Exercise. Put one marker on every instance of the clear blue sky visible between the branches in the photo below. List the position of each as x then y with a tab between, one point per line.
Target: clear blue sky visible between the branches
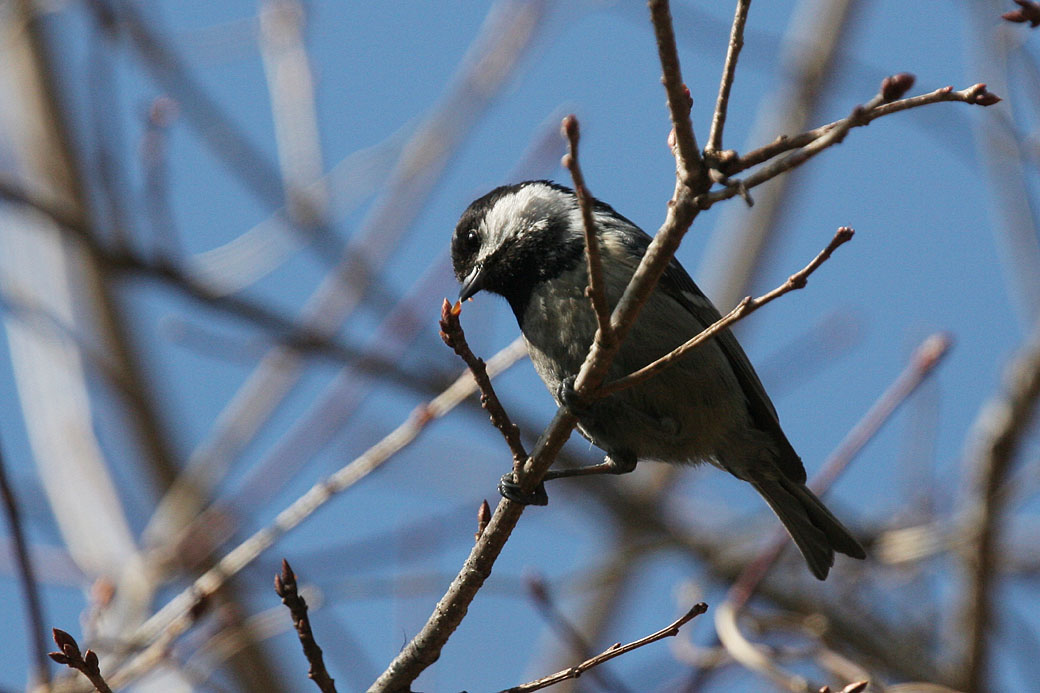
927	258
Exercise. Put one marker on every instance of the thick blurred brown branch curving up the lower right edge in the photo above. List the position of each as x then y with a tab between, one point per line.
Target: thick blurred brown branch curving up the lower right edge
997	438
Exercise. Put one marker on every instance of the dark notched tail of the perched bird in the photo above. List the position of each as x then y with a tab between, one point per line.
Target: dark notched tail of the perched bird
816	531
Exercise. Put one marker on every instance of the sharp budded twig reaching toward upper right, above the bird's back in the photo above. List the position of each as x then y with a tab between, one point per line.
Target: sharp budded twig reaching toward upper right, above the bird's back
863	116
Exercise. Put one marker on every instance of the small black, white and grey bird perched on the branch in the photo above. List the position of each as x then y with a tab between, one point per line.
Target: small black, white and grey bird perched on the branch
526	243
